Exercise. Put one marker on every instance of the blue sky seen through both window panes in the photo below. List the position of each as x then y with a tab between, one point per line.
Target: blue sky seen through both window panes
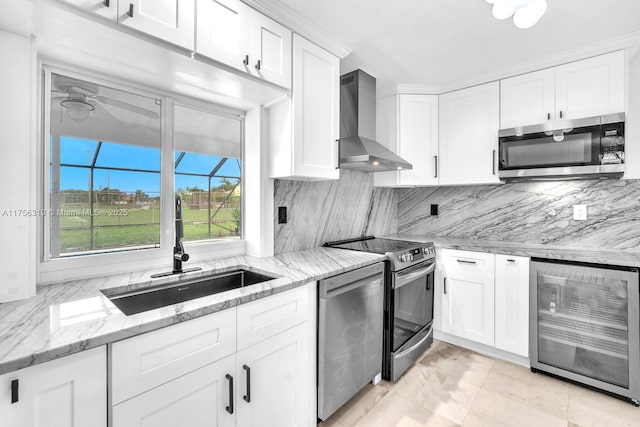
74	151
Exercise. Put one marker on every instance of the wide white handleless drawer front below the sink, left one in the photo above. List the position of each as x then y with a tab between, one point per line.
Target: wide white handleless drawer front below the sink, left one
141	363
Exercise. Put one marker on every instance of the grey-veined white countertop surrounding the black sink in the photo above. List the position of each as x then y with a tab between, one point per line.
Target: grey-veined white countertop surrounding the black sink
69	317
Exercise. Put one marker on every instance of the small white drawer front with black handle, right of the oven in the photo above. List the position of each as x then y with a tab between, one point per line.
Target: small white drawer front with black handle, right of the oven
467	265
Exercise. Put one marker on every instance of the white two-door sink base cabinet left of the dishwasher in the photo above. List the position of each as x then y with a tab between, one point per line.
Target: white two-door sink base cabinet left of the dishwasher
250	365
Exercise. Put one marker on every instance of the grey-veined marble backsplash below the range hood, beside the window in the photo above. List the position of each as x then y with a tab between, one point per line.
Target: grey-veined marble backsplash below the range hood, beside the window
320	211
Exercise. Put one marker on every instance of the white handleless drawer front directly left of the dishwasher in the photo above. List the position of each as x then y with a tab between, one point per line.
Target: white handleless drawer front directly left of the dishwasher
266	317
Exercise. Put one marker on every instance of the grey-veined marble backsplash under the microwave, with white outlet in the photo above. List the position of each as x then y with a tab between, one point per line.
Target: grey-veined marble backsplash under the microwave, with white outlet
540	212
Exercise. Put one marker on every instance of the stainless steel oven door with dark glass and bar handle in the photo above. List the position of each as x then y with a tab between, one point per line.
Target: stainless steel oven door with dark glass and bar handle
412	315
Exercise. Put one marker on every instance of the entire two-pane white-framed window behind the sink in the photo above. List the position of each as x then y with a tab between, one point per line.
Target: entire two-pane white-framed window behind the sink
112	171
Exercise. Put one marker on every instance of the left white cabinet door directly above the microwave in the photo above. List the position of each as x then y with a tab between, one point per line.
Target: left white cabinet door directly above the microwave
527	99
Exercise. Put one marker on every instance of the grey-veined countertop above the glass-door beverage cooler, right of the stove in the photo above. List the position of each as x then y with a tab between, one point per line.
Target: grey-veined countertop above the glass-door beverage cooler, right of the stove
564	253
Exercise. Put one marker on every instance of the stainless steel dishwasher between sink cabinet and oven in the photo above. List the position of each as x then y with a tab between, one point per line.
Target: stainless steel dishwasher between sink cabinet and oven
350	326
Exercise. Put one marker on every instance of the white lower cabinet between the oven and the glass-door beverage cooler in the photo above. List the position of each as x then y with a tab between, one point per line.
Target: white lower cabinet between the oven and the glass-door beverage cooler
485	299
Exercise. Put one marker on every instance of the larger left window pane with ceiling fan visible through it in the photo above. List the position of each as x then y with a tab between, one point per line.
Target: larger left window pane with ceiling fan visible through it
104	169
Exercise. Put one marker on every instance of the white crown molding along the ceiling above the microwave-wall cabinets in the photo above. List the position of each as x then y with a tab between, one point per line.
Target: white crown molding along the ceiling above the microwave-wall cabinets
629	41
